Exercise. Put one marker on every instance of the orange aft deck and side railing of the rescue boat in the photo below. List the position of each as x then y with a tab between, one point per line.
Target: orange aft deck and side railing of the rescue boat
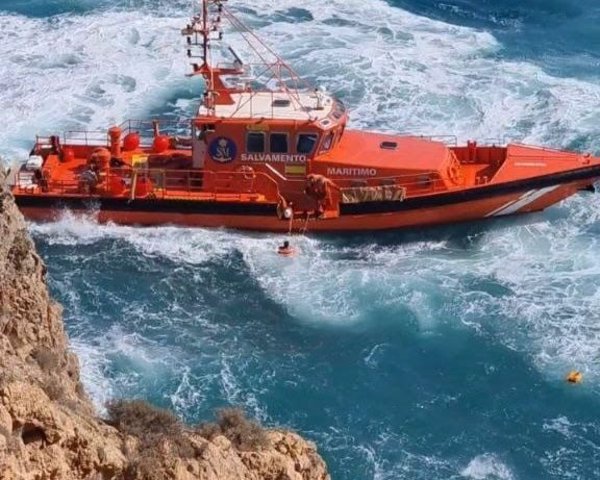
162	176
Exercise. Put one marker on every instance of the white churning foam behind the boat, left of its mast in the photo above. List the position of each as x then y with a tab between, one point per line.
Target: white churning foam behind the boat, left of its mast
84	72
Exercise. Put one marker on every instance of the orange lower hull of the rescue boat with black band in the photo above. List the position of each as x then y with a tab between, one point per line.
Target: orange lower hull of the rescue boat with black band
465	205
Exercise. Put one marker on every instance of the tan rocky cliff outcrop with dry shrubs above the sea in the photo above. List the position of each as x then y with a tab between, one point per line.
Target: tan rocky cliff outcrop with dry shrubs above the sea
48	427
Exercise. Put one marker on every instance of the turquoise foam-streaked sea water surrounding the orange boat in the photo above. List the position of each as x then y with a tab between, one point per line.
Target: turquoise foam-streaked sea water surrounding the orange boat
425	355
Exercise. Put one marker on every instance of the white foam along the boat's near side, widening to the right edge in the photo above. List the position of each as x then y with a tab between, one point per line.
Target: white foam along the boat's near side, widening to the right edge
548	271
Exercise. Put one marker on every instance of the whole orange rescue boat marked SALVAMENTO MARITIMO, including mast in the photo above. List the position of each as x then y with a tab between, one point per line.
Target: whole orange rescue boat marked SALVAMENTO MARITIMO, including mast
265	151
